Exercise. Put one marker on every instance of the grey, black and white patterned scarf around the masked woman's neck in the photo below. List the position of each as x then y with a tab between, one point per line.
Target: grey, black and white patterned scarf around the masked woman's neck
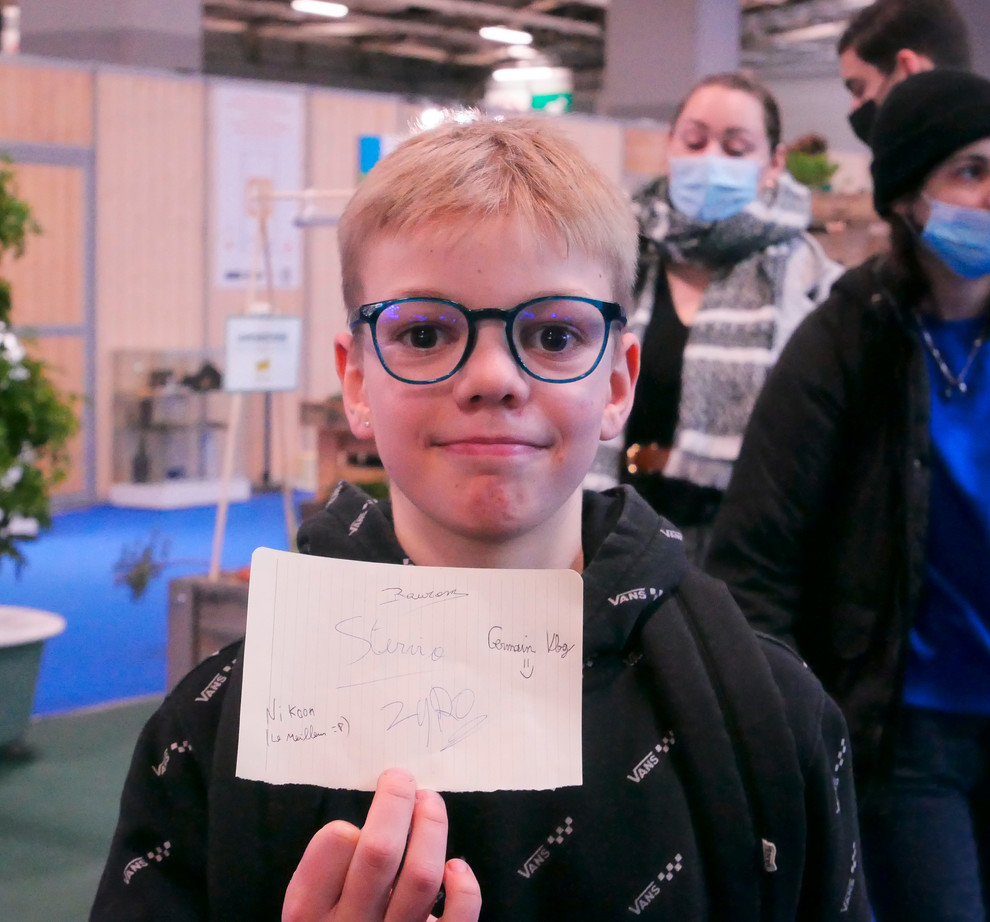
730	344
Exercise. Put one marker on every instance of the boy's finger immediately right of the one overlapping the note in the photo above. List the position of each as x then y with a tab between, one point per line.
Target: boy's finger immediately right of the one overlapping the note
422	869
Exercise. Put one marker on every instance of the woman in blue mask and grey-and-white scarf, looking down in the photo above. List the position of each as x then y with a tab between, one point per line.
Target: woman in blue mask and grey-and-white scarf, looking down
726	273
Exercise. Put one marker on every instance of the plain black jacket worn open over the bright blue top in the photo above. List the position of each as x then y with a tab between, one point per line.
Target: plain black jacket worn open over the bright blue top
821	534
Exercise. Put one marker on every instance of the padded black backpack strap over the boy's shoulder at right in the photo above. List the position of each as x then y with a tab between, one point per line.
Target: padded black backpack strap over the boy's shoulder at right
742	772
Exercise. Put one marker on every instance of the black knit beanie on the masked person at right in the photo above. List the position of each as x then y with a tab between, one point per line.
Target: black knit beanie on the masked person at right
922	122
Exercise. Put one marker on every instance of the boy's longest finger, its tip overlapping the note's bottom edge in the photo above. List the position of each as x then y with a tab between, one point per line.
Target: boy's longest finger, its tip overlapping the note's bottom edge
379	850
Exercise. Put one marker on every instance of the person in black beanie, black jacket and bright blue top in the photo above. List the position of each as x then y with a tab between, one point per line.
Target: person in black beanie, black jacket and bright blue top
857	523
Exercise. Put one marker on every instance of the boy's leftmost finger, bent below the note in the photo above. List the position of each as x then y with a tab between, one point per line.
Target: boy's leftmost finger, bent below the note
319	877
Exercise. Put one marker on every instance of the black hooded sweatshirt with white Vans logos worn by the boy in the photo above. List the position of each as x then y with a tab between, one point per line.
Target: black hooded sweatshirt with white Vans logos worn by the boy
659	828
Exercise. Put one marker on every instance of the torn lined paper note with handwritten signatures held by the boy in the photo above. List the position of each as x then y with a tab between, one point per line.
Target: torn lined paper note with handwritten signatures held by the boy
468	678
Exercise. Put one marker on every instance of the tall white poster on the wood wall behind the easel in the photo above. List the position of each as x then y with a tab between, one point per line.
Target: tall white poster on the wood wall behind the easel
258	144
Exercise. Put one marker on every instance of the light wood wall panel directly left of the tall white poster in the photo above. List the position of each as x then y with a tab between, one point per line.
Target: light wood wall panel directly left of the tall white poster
150	235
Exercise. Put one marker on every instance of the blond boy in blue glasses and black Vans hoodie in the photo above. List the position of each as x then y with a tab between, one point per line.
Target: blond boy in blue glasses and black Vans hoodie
484	269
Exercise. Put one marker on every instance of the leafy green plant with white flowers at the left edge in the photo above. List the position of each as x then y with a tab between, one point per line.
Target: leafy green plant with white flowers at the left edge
36	421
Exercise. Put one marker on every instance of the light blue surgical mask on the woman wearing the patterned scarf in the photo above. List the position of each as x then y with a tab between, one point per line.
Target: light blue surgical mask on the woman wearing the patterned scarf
712	188
